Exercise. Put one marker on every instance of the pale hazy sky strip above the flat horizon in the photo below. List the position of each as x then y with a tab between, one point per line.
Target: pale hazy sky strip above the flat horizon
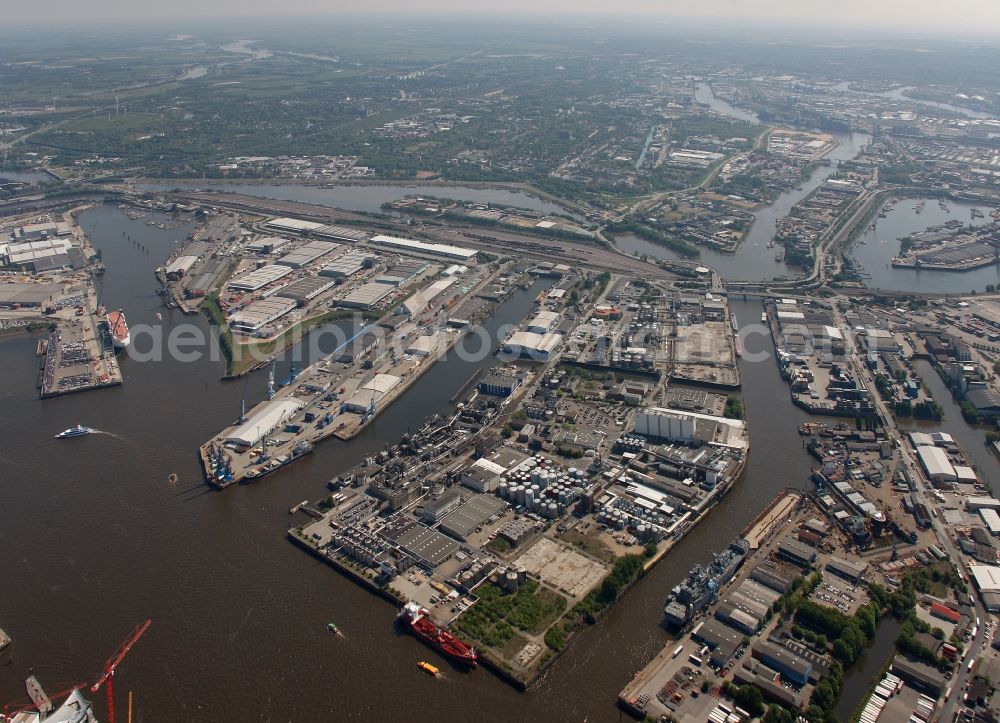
981	17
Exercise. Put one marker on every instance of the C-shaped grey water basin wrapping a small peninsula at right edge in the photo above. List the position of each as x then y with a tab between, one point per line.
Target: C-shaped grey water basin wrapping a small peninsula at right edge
876	247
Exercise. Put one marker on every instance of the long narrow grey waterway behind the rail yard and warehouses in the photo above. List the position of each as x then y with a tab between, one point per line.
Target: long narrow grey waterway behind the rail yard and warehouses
362	197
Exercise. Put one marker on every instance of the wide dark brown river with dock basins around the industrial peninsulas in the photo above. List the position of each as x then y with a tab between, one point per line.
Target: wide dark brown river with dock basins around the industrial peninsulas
95	539
